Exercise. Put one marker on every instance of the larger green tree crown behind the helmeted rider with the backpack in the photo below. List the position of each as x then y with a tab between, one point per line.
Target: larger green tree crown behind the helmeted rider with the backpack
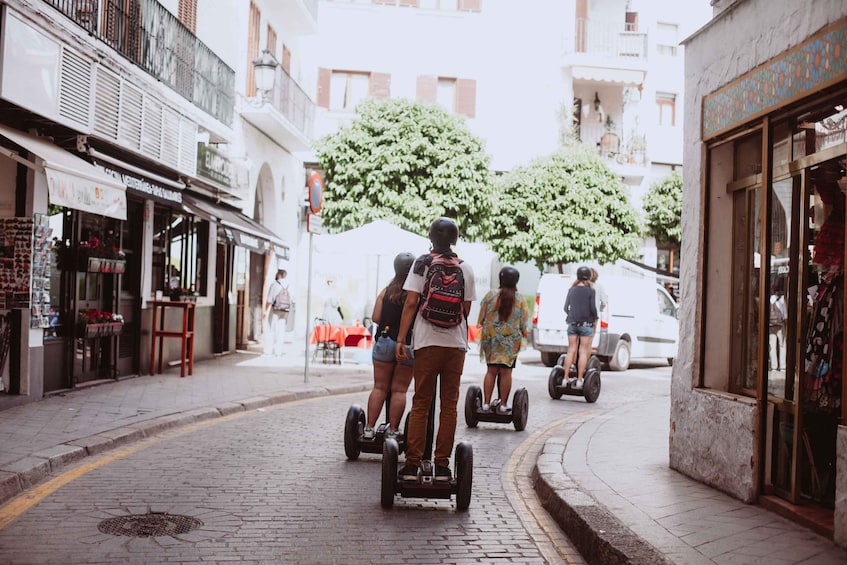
407	163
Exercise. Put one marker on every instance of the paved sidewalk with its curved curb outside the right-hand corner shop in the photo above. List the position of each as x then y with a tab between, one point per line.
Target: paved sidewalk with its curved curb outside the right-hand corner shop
607	482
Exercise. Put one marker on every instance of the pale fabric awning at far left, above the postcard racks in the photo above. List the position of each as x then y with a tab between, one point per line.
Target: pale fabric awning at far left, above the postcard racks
71	181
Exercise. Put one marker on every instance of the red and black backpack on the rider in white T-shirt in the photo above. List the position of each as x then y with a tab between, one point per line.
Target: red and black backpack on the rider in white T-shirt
444	291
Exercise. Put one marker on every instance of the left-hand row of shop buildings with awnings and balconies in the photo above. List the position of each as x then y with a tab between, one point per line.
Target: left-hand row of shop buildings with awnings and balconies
143	162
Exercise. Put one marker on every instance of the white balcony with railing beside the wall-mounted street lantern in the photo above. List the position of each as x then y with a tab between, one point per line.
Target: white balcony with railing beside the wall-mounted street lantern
286	115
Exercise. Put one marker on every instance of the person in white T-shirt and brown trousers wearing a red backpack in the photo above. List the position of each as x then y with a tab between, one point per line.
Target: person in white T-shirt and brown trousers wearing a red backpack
440	291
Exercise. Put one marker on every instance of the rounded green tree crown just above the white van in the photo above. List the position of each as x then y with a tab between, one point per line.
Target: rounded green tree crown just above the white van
564	208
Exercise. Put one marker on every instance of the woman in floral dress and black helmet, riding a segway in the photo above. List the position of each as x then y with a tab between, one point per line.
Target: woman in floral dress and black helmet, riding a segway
503	316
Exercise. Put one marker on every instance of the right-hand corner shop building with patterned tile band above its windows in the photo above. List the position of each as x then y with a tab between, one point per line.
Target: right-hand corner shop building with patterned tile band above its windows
757	402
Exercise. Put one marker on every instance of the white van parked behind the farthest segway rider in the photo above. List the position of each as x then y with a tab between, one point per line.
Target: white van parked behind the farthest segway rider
638	319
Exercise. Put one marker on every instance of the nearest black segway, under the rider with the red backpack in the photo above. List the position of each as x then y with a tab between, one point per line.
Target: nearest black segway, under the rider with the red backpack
426	486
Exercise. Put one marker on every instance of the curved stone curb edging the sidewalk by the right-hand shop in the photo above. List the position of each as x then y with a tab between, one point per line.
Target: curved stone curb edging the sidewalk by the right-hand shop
598	535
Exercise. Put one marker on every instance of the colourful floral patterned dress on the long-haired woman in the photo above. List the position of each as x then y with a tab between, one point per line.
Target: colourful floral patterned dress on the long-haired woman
500	342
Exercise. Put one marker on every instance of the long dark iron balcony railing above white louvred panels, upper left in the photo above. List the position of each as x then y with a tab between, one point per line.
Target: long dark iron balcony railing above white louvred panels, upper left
147	34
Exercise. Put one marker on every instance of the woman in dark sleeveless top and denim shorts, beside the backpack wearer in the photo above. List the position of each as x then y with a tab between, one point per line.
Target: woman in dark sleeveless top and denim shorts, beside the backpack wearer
390	374
